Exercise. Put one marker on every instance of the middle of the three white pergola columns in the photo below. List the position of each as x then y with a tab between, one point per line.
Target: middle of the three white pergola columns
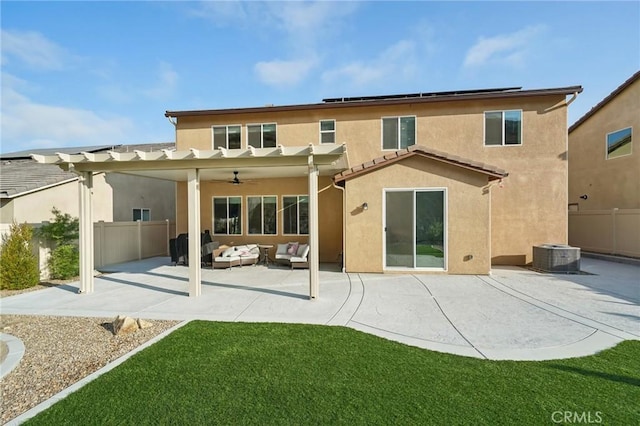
195	275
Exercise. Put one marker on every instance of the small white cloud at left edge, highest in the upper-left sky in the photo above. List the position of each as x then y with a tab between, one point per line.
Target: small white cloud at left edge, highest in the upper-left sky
33	49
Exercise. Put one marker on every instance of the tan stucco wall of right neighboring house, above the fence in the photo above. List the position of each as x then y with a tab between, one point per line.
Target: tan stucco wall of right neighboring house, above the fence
613	183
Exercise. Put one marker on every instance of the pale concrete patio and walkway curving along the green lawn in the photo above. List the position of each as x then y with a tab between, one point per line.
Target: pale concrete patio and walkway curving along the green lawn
512	314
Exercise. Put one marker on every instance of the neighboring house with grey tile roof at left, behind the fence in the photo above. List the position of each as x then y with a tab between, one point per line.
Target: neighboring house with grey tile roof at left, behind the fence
29	190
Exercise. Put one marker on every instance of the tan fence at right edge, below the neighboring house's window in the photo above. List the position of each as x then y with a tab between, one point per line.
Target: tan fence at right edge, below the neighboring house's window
615	231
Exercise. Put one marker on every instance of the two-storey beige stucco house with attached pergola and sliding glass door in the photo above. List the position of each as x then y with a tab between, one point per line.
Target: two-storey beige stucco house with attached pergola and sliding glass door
448	182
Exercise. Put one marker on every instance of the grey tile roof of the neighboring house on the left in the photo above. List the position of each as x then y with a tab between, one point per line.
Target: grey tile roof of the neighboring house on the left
20	174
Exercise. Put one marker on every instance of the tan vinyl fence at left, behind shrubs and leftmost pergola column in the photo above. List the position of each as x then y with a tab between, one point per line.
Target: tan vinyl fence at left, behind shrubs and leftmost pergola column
115	242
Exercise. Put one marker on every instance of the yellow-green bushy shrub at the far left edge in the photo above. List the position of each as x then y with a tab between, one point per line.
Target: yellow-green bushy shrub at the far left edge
18	264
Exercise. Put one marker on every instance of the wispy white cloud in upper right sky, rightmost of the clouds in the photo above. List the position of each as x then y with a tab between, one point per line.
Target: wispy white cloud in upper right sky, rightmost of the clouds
505	48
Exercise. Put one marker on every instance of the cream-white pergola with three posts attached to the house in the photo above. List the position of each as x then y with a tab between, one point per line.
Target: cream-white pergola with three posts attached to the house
193	166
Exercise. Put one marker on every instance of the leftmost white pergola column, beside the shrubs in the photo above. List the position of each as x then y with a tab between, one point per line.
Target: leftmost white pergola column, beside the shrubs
86	232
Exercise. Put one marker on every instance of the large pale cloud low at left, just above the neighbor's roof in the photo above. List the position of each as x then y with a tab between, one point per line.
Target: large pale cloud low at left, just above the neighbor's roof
27	124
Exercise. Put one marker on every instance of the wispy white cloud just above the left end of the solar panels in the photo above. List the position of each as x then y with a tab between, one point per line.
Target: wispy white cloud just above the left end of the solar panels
398	61
